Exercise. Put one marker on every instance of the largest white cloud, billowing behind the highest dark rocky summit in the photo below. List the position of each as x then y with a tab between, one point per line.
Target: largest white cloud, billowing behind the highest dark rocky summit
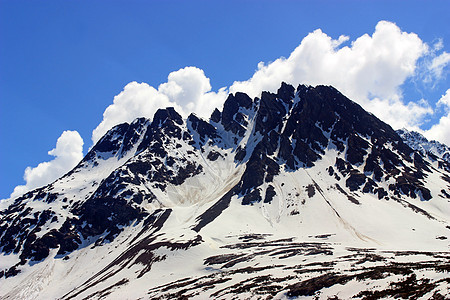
370	71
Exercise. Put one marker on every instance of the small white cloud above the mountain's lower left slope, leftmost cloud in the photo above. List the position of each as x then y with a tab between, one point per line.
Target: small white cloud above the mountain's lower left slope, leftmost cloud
68	152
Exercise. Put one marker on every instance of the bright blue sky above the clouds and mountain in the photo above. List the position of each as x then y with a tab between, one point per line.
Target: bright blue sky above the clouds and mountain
63	62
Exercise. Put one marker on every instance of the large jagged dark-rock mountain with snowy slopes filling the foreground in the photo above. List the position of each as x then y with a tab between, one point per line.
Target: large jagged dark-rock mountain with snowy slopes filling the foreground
296	193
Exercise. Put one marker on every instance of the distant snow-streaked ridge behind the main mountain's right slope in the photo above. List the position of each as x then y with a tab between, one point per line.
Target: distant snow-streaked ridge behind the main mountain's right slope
418	142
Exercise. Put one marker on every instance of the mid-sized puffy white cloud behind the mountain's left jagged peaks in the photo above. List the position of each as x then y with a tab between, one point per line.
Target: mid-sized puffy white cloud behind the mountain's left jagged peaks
188	90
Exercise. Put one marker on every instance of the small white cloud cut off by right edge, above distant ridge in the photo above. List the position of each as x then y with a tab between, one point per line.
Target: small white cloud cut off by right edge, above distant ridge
441	130
